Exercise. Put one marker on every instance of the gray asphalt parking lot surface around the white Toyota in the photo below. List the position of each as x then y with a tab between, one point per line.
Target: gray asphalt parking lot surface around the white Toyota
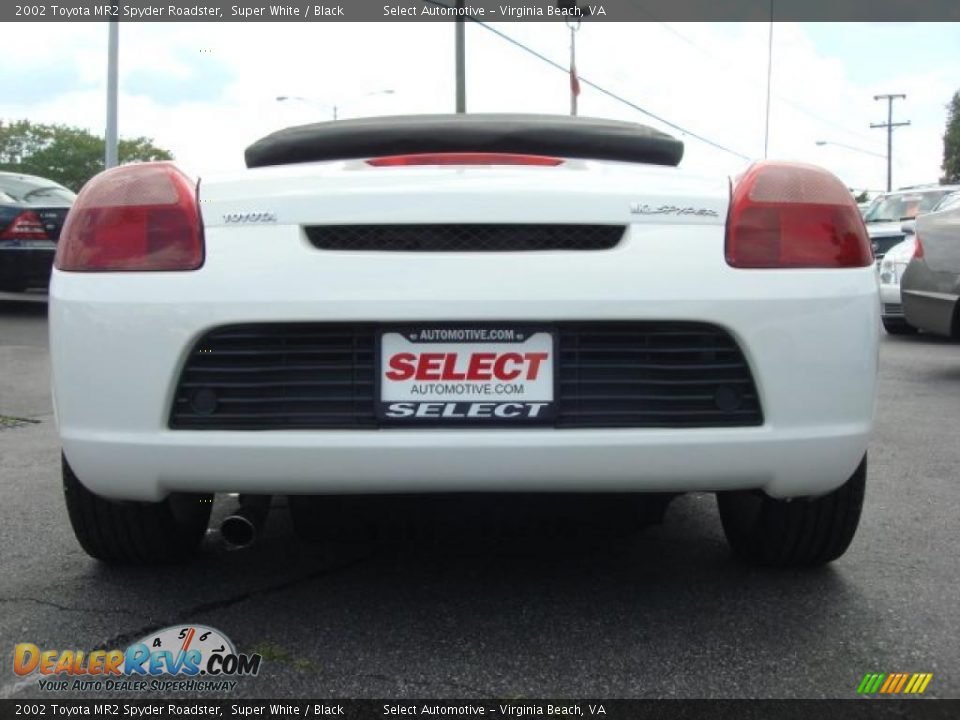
664	613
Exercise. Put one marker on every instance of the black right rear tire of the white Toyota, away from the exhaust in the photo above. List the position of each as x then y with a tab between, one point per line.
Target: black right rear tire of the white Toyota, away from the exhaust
797	533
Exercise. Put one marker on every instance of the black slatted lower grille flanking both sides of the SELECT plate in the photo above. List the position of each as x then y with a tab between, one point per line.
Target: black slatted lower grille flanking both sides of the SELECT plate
275	376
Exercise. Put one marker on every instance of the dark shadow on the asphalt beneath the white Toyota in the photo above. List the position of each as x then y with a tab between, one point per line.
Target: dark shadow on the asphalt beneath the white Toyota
591	574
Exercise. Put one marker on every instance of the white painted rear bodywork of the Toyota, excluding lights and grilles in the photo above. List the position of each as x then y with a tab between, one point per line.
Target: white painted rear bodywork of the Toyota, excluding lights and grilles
119	340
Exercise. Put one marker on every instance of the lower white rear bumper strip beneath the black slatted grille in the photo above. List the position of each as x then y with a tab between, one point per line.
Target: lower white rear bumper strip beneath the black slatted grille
782	462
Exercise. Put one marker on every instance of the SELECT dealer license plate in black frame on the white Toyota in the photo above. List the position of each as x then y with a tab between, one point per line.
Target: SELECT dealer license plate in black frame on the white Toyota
466	375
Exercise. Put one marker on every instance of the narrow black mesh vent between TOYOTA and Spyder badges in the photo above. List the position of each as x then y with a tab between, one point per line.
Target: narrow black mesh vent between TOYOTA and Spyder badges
464	238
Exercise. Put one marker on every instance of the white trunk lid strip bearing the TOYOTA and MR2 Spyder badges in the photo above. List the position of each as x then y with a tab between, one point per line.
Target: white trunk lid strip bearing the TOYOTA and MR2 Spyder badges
354	193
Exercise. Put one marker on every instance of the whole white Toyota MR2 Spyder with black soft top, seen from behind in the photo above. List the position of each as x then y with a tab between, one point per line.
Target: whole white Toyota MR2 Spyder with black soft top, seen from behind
463	304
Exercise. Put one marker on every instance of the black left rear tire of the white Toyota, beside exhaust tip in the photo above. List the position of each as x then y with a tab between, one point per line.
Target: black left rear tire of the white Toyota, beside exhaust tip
136	533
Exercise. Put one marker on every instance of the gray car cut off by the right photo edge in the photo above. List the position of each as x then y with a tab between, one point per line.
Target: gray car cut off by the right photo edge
930	286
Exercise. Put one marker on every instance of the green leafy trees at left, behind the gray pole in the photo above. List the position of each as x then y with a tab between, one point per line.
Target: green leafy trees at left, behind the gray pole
64	154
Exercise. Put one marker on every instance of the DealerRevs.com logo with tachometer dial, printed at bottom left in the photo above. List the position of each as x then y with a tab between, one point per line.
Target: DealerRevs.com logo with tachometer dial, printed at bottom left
180	658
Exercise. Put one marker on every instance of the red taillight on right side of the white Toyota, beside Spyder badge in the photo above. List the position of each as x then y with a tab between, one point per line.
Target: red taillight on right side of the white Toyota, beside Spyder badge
791	215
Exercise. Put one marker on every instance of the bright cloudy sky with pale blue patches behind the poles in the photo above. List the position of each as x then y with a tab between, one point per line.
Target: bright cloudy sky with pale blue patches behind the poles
206	90
